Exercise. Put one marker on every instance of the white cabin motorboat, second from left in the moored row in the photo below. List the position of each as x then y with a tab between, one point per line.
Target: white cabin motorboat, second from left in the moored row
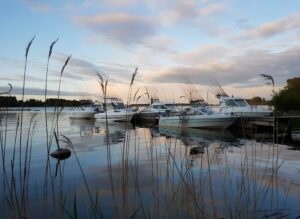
115	110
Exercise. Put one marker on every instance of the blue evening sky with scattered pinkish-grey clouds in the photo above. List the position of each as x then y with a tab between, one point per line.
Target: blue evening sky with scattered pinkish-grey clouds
177	45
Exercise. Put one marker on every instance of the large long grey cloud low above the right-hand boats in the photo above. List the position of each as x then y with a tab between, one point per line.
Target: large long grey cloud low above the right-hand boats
239	69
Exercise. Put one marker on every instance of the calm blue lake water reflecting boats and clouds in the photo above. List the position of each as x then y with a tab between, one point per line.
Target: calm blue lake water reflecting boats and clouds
120	170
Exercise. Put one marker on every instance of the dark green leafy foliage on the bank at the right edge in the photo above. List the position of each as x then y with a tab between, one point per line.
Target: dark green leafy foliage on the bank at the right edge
289	97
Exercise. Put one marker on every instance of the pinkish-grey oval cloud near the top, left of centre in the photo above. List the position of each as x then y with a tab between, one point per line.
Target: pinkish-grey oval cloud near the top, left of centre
123	28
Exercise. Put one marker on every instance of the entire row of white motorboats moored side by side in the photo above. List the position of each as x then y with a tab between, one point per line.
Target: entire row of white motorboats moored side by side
195	116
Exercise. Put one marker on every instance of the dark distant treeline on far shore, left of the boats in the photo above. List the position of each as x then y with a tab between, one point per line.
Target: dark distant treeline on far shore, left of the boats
11	101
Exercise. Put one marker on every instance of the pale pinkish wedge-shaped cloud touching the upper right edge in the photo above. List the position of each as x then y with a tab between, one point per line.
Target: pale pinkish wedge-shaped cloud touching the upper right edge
272	29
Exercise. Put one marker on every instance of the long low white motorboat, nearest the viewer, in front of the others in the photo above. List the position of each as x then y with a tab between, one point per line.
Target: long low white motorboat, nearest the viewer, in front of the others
197	118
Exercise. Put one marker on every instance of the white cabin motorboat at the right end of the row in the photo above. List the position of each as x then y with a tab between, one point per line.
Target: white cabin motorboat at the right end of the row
239	106
